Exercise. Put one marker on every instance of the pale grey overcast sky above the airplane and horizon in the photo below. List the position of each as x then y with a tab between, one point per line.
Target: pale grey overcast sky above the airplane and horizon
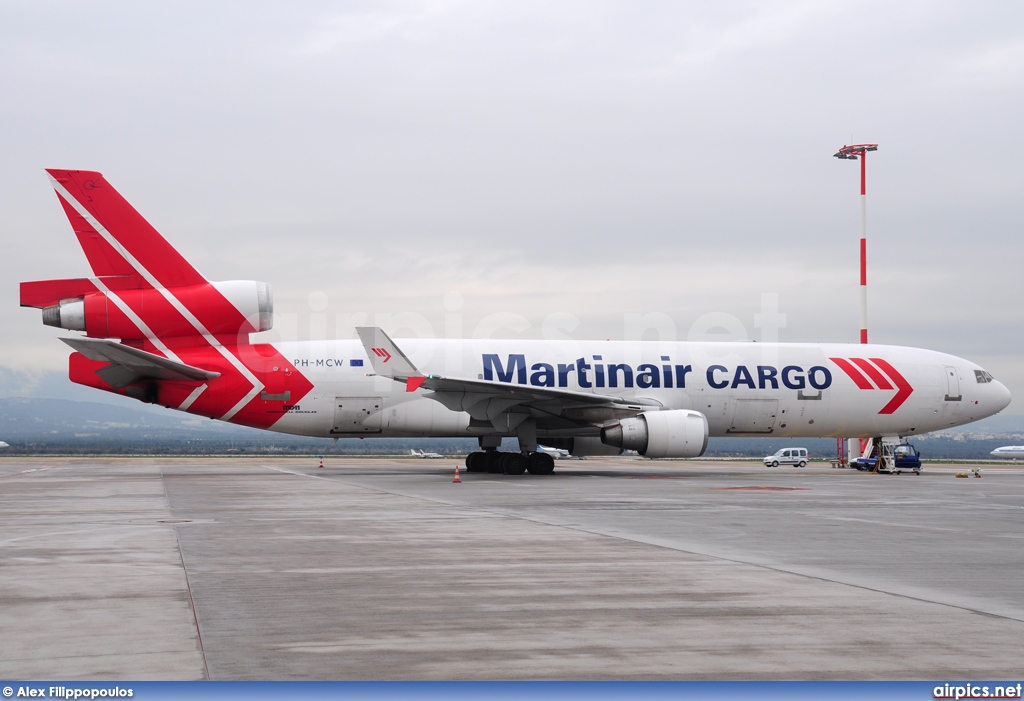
525	167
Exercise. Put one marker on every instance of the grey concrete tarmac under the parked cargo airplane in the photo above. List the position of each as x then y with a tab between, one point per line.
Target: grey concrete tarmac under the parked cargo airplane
383	569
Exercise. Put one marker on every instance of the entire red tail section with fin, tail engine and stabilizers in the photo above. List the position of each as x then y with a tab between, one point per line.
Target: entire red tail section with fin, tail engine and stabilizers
179	334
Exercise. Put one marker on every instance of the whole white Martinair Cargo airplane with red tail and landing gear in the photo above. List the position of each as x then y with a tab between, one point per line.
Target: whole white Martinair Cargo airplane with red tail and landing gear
158	331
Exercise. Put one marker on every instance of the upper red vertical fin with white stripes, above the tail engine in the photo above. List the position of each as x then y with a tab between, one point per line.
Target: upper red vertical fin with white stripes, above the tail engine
116	239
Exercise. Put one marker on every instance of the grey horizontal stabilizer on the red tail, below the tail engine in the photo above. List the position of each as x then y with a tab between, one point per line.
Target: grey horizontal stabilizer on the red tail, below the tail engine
130	365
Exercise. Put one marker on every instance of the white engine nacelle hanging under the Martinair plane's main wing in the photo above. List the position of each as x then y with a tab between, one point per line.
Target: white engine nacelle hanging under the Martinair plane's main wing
674	433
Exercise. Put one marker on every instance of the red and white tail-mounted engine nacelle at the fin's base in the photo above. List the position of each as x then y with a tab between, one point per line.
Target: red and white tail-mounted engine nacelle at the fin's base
249	310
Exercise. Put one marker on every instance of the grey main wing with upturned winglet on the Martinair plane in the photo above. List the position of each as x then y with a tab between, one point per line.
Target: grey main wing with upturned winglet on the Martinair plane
490	400
